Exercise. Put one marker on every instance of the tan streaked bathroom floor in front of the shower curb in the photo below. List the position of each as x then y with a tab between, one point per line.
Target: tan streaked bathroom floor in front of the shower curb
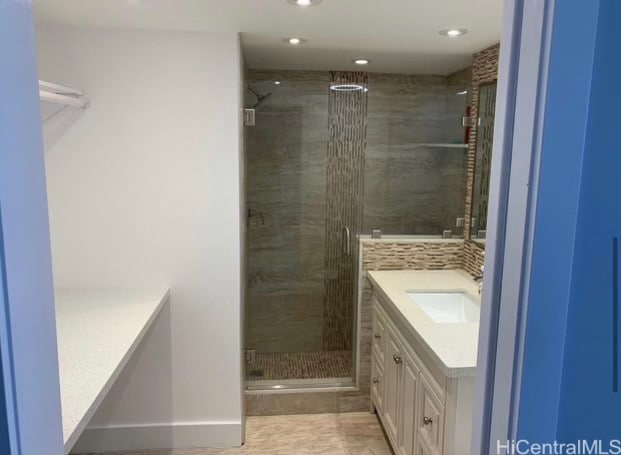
322	434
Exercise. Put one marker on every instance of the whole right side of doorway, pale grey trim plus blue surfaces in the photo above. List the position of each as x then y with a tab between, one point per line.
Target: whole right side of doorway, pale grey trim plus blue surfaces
554	208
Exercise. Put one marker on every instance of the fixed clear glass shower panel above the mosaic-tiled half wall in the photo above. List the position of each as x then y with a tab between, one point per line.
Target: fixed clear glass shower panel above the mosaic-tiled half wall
416	157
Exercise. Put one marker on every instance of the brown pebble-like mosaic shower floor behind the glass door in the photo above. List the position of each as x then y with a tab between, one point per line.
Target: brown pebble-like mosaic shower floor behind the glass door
300	365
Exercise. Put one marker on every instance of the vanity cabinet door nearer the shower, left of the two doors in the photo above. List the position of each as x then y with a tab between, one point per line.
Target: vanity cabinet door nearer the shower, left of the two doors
392	374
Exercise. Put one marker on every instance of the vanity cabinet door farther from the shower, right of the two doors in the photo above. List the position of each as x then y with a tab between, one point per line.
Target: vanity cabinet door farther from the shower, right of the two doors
408	400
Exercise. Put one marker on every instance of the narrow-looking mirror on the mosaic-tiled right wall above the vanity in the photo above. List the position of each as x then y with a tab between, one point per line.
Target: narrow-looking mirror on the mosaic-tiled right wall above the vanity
482	163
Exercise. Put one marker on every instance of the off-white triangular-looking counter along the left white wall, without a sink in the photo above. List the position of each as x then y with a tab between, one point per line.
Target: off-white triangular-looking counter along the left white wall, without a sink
98	331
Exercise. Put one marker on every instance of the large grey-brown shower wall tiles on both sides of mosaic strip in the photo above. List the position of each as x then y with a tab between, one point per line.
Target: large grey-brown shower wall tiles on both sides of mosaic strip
409	189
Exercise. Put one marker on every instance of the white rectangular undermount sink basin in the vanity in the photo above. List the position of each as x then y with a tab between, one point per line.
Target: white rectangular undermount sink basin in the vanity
447	307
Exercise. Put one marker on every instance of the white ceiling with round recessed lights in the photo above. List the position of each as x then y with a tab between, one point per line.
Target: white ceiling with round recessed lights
399	36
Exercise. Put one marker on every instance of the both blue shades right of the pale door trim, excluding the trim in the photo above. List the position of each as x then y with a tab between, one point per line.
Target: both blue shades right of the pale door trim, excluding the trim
570	351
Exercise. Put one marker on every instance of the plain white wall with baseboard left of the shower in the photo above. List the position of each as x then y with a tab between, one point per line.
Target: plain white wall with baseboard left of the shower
144	189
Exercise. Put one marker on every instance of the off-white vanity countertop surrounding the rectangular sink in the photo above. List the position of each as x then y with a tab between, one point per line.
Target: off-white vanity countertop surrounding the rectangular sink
452	346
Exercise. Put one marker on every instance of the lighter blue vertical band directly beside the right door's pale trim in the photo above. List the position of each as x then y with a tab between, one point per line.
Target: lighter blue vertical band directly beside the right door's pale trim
564	135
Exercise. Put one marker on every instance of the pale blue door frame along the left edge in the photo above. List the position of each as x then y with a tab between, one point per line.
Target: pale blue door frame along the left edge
27	318
